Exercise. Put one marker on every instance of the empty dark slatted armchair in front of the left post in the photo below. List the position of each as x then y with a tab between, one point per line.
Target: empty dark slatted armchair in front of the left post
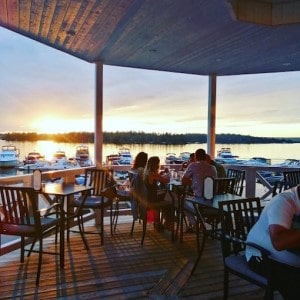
102	197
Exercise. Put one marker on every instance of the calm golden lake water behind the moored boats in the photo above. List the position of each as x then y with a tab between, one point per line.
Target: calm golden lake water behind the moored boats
276	152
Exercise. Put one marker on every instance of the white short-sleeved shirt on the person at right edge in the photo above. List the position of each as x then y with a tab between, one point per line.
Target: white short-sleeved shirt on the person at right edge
281	210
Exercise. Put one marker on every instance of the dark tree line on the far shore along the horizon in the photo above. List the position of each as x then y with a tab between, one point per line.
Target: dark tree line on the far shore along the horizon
132	137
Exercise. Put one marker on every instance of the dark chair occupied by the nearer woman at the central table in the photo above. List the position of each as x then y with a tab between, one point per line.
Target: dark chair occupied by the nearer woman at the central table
140	193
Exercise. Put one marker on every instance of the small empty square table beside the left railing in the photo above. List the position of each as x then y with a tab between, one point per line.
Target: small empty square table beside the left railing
63	193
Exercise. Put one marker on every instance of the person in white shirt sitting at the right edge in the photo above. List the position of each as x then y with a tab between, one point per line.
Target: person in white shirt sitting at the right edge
276	230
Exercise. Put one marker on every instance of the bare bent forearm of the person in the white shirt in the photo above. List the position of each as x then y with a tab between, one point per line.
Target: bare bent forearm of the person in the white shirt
283	239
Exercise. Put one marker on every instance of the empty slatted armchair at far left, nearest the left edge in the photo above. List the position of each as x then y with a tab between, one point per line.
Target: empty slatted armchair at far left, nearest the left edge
21	217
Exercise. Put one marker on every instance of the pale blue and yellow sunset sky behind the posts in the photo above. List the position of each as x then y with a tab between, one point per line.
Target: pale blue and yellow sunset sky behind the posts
45	90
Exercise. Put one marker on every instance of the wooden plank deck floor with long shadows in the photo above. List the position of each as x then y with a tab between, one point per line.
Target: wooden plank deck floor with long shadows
123	269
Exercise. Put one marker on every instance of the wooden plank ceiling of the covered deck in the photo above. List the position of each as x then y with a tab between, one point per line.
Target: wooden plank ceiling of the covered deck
187	36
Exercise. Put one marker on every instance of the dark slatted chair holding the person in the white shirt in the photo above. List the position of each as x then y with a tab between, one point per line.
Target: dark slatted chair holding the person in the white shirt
237	218
